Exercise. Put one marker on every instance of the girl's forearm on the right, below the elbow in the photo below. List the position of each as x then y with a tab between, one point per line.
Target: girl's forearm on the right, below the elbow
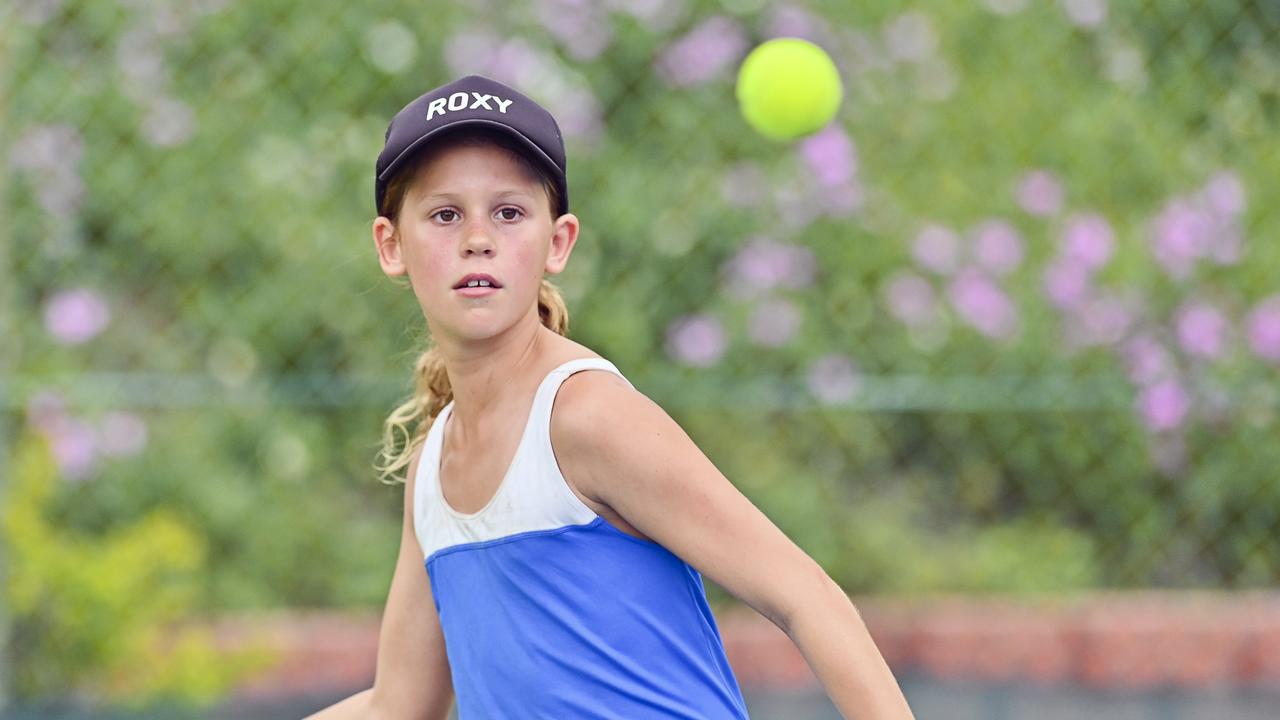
835	641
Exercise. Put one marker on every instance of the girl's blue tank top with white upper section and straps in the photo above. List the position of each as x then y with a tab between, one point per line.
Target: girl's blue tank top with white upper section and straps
548	610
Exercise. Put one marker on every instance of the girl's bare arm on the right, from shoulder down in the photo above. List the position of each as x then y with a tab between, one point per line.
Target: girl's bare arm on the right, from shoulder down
621	449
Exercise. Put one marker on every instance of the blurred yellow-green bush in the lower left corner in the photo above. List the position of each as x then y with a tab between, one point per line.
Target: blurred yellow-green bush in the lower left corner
97	613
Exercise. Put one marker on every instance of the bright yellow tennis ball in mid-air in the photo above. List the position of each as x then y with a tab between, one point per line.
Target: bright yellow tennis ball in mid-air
788	89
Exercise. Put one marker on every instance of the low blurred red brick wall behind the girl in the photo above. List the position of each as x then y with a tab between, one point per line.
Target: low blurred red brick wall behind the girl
1114	640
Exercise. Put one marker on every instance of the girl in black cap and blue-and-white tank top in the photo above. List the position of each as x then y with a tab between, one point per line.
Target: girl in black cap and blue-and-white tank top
565	518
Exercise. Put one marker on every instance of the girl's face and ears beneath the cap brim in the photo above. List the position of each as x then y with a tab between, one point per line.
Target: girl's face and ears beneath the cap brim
473	211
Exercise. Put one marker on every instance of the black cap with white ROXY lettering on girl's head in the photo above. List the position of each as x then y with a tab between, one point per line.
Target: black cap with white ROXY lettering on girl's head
473	101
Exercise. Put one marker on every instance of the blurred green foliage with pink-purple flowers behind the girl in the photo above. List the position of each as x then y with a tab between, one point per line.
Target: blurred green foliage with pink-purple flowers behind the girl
1011	323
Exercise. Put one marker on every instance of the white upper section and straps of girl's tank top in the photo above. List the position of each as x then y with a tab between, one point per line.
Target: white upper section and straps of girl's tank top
533	495
